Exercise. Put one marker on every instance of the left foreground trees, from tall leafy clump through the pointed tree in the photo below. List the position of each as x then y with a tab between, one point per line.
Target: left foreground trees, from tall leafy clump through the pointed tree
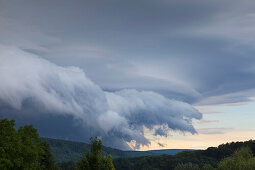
23	149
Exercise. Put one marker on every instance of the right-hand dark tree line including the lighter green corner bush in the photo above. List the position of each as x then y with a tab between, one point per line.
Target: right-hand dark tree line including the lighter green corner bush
230	156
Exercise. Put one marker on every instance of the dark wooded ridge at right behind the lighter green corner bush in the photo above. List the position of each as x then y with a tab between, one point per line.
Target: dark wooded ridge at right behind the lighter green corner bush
204	159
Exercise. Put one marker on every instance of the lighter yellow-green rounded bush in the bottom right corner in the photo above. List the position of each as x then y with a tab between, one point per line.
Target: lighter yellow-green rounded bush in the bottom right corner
240	160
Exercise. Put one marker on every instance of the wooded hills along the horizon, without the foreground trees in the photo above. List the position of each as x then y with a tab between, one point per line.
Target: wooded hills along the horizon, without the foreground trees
65	151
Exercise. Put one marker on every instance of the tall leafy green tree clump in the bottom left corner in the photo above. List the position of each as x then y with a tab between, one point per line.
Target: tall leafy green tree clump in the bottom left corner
23	148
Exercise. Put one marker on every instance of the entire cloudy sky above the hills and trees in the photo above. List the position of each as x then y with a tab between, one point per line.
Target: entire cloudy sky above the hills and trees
142	74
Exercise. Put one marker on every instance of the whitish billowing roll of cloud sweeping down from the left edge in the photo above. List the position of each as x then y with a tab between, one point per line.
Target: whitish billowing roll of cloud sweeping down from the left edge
28	81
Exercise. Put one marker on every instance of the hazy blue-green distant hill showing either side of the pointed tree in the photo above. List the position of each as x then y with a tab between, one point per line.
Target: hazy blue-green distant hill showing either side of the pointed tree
65	150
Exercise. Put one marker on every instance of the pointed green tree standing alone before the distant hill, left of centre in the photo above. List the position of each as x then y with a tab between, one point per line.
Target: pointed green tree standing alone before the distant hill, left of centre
94	160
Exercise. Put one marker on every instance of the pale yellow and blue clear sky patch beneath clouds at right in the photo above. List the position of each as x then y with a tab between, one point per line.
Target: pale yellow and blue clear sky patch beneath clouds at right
220	124
